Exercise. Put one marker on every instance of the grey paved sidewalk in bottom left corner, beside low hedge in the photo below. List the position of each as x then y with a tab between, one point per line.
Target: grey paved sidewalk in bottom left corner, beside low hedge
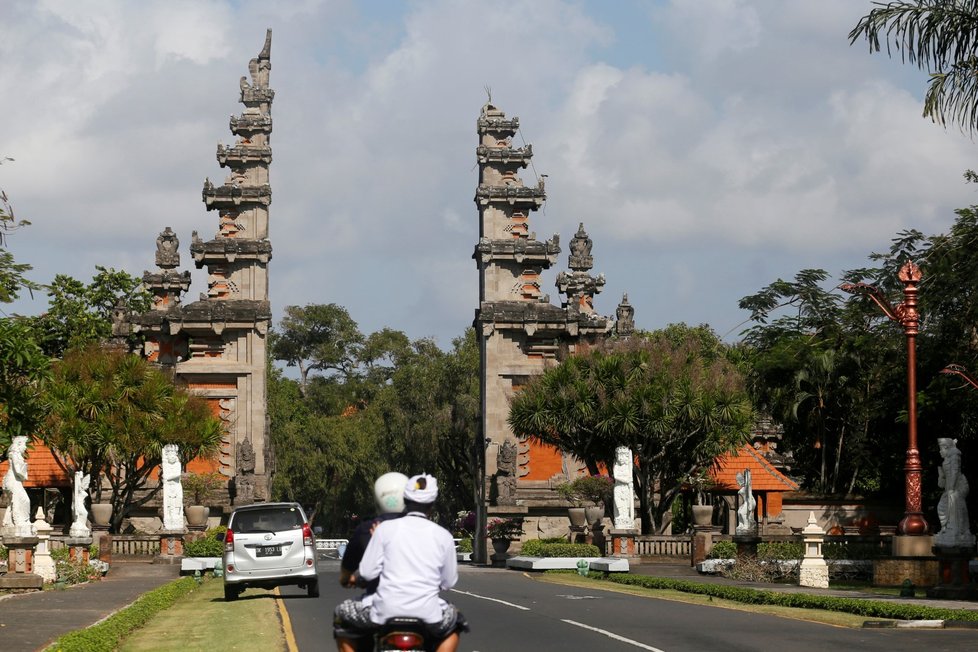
31	621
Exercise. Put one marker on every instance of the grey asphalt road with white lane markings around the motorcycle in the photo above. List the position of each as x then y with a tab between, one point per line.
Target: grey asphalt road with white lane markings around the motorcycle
510	612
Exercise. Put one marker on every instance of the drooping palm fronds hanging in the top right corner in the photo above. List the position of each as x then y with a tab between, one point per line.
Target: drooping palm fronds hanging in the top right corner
937	36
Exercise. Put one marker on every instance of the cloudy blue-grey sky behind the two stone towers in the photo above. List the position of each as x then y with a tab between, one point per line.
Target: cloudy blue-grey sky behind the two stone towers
709	147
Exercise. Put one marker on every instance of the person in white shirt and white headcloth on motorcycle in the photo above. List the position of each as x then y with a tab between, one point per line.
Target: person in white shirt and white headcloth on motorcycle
414	559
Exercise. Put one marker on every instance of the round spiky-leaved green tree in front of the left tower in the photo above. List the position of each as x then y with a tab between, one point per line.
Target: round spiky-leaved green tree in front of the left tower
110	415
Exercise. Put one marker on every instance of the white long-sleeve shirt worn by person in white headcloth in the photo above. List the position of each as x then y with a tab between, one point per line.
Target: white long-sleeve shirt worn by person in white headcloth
414	559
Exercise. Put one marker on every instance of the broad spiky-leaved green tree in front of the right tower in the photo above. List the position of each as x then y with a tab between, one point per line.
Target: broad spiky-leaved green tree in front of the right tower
673	397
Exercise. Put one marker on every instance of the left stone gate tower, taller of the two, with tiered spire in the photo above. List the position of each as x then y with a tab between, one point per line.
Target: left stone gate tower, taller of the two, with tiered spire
217	345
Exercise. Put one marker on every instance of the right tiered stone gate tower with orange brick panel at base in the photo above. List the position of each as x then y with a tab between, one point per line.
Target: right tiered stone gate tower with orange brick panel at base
519	330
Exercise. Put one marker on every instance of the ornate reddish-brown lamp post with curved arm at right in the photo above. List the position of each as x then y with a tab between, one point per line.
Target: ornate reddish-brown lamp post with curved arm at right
906	315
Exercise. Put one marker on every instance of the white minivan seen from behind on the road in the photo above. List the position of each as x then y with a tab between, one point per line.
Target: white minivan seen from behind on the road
268	545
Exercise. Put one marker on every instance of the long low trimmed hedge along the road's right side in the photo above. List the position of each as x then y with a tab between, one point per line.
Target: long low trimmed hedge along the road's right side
856	606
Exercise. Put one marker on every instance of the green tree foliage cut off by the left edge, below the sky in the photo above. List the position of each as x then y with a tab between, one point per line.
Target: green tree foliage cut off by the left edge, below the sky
23	368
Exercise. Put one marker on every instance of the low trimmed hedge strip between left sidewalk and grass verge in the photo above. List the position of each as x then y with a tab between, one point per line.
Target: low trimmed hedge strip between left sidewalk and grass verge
107	634
